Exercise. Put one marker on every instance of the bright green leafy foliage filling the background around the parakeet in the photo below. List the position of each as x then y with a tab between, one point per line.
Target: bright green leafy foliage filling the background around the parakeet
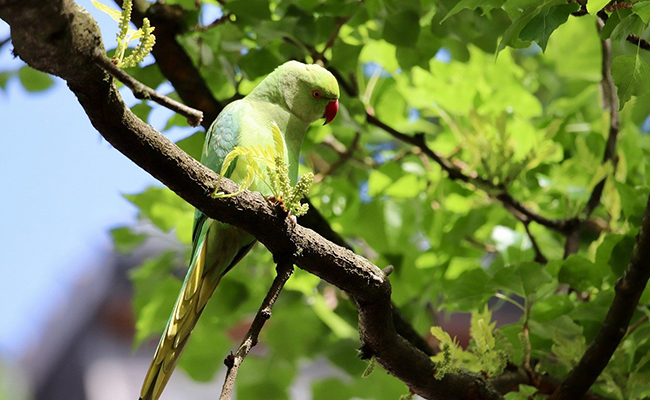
508	92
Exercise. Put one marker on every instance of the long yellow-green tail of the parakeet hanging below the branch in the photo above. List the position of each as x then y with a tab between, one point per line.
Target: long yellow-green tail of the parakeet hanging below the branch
195	293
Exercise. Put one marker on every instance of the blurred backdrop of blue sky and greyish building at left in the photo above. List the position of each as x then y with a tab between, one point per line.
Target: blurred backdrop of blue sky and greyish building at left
67	325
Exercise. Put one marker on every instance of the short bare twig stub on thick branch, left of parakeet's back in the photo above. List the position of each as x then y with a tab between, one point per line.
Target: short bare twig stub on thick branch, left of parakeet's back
141	91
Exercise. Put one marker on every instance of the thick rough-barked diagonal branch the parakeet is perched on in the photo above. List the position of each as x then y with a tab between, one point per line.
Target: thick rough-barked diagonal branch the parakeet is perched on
56	36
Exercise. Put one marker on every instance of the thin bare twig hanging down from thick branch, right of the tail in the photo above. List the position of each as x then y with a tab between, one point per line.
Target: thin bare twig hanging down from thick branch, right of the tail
233	361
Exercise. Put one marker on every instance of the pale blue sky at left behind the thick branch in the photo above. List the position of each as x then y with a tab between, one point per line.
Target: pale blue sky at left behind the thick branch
61	193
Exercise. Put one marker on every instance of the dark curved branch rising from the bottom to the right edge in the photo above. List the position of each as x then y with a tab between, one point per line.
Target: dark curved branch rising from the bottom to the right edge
627	293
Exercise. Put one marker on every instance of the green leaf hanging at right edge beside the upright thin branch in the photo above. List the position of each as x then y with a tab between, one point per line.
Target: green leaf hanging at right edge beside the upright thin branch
632	77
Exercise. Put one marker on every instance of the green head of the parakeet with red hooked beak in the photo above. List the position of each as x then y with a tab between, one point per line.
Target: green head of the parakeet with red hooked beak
310	91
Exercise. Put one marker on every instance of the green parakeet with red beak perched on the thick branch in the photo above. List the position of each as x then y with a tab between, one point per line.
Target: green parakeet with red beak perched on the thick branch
293	96
